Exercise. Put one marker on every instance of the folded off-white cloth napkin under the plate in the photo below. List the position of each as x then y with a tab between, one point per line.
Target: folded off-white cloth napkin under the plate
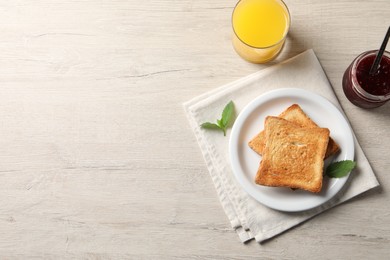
247	216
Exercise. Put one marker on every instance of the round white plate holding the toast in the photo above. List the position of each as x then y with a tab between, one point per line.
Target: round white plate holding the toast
245	161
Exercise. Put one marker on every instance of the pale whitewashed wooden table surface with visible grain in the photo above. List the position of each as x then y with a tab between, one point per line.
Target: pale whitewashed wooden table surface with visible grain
97	159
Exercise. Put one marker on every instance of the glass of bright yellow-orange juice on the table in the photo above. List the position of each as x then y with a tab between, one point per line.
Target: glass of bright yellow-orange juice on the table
260	28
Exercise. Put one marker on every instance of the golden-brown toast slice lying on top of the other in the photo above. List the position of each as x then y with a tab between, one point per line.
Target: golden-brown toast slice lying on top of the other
293	156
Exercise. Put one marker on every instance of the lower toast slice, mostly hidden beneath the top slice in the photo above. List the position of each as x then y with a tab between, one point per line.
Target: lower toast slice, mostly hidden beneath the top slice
295	114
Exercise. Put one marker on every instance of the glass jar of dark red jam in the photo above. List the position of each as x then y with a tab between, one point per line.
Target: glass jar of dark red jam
365	90
